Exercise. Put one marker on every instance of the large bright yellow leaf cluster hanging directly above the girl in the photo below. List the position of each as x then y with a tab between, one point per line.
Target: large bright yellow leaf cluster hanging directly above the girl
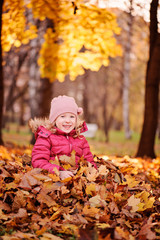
90	28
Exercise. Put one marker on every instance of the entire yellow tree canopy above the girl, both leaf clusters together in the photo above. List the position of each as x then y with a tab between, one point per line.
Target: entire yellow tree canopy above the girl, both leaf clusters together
82	36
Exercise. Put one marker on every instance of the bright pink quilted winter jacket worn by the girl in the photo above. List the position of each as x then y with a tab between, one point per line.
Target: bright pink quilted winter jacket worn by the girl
48	145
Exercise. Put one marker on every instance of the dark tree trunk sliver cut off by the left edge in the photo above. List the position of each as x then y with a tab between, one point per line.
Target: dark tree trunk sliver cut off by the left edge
1	77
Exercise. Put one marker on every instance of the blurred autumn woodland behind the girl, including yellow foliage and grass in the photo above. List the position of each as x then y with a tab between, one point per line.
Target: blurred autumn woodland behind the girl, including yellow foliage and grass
95	51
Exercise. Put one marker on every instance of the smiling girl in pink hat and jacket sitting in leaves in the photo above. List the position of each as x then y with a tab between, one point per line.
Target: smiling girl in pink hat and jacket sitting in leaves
60	135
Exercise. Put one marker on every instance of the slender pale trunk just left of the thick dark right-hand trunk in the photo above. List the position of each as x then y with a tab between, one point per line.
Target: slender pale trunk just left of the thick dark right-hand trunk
126	79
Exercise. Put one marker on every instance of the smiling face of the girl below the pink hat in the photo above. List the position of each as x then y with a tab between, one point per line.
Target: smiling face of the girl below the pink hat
66	122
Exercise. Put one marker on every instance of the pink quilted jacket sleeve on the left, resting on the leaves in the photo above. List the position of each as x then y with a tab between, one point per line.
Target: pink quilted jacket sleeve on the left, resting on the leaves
41	155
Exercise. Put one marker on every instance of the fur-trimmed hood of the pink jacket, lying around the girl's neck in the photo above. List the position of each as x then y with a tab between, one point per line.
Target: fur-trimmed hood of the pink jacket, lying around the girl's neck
36	123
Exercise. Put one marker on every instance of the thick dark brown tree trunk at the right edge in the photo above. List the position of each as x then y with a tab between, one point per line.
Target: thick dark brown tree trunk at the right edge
147	141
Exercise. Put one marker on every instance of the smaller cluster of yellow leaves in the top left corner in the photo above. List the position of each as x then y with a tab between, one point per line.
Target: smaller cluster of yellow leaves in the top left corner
15	31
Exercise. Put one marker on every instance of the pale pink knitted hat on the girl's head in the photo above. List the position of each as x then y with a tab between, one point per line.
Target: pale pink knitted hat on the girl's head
63	104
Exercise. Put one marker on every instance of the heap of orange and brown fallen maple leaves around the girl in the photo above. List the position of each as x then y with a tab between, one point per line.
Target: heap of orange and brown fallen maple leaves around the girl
119	200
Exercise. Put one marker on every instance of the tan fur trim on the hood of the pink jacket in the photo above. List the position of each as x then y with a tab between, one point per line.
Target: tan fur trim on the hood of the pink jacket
35	123
